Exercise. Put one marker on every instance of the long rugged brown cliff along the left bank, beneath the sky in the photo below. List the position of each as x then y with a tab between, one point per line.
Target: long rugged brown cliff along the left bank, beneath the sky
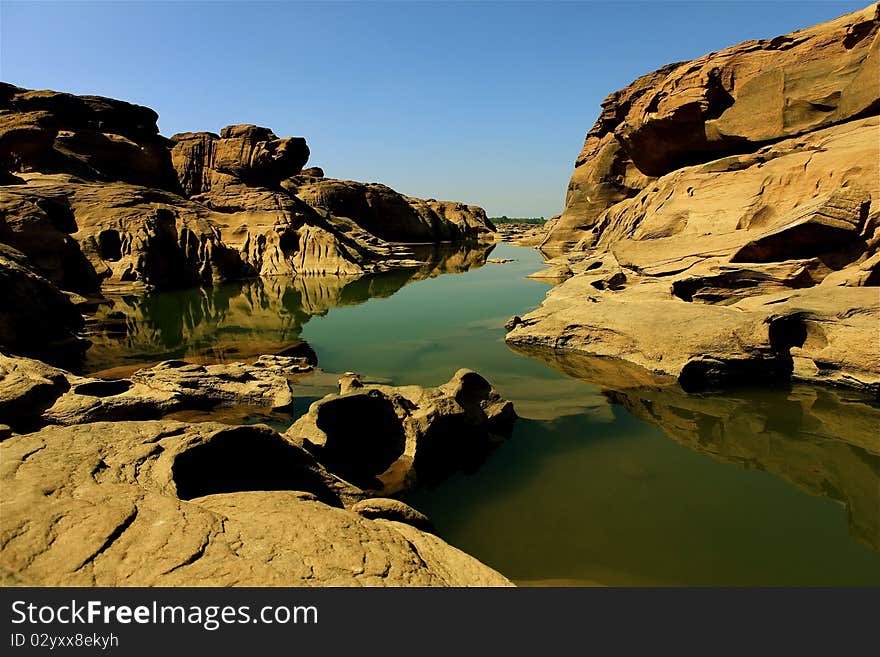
93	197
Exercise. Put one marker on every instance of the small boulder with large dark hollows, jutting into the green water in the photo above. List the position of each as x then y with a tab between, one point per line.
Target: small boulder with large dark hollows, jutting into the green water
387	439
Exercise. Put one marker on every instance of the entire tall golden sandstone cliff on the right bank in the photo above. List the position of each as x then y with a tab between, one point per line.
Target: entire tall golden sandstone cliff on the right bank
723	221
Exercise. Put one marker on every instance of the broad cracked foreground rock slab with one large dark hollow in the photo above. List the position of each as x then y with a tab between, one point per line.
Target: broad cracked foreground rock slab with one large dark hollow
163	503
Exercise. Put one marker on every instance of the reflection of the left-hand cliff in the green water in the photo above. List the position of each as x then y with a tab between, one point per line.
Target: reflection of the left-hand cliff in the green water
241	320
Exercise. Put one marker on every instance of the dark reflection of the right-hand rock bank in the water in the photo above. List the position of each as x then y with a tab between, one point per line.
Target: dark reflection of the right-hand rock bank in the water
823	440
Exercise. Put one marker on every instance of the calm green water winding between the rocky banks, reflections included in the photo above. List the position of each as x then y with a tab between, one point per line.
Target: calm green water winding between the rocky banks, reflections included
606	479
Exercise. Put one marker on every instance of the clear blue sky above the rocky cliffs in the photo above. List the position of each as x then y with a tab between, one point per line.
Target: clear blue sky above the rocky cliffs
486	103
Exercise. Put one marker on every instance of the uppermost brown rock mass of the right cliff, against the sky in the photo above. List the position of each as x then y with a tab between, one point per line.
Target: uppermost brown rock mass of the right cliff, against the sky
732	101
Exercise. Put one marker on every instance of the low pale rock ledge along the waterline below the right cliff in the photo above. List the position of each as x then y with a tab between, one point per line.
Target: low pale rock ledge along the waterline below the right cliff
706	345
